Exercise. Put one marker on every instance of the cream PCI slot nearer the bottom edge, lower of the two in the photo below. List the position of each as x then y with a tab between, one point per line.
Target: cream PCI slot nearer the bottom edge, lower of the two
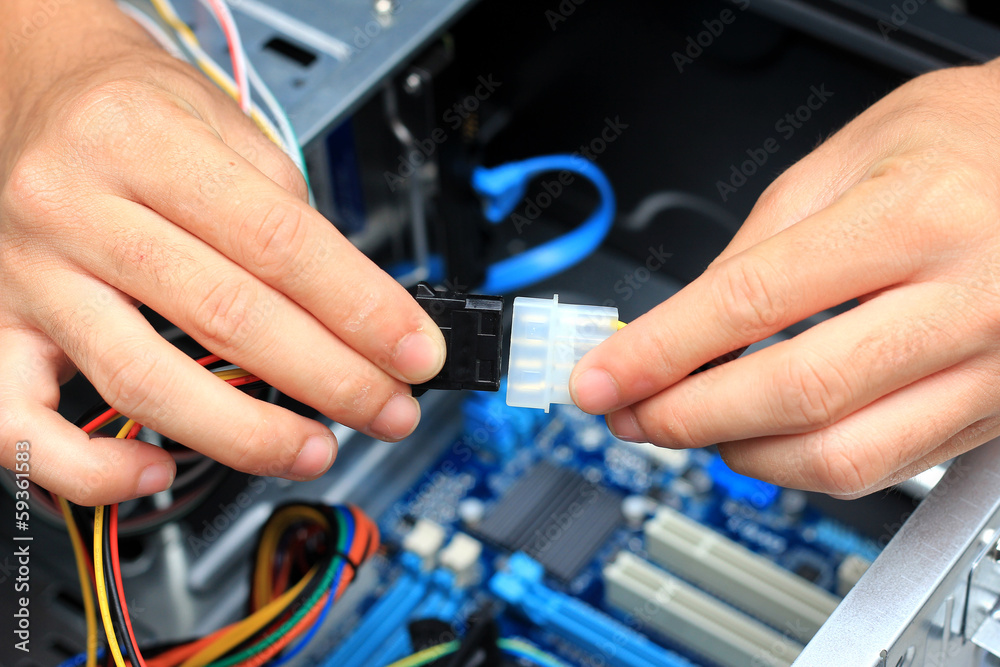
693	618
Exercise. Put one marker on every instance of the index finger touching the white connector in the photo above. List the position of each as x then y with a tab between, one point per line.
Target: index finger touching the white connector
746	298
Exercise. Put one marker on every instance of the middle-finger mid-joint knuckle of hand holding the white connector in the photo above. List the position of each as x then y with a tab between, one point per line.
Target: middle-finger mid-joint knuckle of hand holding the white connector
812	392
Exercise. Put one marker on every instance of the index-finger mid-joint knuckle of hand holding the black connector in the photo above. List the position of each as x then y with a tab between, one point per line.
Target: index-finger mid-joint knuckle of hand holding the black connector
277	238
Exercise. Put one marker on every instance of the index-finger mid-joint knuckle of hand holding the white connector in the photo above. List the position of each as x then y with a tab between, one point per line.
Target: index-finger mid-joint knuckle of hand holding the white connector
747	293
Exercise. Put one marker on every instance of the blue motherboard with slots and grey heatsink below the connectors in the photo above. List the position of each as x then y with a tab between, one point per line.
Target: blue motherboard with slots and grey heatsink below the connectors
524	520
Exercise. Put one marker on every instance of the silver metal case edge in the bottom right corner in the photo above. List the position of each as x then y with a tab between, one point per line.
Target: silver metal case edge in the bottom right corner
910	607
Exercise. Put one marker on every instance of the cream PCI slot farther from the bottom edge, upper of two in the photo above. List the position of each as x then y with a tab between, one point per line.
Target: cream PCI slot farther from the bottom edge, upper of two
732	572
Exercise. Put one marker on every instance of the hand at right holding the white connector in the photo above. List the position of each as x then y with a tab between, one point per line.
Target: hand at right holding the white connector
901	210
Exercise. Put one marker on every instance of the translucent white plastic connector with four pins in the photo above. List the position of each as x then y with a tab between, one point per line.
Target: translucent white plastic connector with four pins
547	339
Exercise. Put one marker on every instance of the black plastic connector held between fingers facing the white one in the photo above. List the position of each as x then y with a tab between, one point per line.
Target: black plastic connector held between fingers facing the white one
472	325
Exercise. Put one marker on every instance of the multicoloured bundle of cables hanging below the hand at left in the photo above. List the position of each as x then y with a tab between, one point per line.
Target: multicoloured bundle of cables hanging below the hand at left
305	558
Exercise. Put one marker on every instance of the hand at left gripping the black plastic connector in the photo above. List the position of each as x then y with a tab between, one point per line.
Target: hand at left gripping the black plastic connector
125	178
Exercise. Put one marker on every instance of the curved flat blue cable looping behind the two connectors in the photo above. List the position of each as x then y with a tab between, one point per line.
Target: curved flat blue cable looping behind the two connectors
504	187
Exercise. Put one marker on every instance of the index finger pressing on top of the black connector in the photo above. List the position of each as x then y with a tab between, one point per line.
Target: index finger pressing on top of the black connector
205	187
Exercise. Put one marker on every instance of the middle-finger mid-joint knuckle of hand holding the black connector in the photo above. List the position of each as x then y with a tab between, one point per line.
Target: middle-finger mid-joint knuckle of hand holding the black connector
225	315
